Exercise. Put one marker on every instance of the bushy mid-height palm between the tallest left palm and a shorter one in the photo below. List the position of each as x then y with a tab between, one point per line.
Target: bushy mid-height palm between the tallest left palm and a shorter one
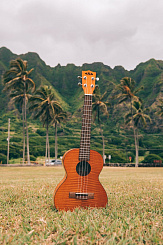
45	108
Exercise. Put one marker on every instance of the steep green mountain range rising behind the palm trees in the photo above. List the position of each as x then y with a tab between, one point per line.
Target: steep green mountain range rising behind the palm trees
63	80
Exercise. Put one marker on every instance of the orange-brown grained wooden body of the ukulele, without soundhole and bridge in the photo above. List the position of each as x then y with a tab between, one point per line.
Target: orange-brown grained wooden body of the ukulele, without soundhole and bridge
72	182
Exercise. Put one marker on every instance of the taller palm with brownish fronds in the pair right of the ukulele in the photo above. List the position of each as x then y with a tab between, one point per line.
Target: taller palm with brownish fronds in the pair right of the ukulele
128	93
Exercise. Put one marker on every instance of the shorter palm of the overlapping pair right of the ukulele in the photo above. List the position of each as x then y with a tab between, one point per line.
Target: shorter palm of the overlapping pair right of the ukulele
138	117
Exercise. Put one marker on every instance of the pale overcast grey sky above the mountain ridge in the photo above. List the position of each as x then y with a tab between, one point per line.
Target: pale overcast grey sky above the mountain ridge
114	32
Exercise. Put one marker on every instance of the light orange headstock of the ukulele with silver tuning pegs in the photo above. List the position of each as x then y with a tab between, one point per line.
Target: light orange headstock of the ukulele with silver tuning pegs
88	81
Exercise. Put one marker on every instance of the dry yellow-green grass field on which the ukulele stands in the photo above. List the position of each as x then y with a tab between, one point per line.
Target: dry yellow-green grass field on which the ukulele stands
133	216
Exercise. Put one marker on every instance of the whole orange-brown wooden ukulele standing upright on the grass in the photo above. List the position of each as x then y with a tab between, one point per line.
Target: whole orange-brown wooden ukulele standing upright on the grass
81	186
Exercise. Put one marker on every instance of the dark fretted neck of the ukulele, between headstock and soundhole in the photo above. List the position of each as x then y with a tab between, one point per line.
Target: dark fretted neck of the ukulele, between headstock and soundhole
84	152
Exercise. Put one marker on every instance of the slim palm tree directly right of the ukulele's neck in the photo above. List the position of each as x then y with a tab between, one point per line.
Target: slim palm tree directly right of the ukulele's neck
99	106
